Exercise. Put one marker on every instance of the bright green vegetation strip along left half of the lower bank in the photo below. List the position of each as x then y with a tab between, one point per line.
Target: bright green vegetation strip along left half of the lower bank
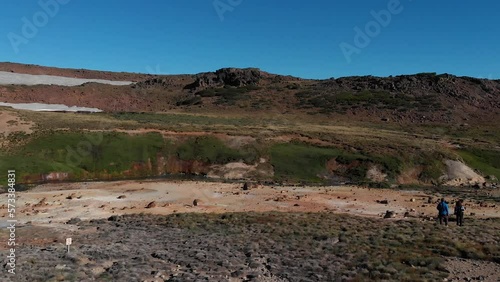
112	155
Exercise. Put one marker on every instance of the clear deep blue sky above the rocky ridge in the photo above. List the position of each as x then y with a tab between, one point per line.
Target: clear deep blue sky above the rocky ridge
295	37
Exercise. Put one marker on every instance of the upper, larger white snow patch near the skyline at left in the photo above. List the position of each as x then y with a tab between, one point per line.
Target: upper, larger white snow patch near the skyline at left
7	78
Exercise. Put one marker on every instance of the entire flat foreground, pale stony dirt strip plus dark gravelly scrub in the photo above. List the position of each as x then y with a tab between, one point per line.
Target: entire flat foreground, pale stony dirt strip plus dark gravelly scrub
198	231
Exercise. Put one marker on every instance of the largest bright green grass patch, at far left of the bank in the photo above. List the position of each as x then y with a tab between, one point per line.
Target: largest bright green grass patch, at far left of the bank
81	153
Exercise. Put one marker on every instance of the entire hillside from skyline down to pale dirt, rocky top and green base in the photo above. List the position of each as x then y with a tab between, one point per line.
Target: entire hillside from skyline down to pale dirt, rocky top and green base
404	130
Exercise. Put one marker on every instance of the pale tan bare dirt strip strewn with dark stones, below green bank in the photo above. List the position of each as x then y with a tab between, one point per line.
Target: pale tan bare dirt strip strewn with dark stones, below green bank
57	203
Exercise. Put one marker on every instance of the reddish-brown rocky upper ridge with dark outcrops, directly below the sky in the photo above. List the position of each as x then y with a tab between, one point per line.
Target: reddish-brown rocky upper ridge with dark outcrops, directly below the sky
420	98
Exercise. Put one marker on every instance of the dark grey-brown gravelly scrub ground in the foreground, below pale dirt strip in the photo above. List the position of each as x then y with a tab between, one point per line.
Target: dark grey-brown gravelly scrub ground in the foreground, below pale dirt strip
244	247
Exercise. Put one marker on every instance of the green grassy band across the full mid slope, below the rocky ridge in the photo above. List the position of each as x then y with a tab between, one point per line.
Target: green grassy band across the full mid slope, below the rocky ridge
352	148
